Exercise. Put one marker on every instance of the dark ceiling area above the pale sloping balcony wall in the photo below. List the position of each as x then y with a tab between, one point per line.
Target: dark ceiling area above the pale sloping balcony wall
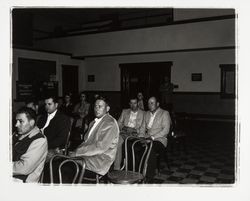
41	23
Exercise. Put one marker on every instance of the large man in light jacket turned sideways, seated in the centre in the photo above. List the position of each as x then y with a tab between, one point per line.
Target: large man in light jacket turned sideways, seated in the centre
100	142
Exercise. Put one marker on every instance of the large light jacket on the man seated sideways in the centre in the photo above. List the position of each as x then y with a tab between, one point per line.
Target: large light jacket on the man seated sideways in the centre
99	150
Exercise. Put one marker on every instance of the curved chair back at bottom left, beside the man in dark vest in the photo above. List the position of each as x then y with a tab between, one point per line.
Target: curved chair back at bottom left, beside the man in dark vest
62	160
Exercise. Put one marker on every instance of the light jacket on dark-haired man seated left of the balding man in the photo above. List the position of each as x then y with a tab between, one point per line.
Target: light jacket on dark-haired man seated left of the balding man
124	119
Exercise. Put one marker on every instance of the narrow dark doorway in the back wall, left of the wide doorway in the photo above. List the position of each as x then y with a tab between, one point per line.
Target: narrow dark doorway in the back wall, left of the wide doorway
70	79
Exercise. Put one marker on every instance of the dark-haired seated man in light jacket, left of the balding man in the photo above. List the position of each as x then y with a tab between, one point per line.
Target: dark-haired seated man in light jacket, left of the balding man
129	123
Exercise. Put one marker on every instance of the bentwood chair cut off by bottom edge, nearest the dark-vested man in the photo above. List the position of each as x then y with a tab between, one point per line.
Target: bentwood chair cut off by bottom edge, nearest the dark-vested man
76	165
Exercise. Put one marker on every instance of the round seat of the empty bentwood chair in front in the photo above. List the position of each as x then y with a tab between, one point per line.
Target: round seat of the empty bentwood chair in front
124	177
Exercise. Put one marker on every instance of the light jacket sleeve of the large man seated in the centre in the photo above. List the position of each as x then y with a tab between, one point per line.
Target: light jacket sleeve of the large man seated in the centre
104	142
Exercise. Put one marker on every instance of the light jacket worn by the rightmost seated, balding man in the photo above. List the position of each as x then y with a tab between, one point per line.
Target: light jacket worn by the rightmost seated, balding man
160	127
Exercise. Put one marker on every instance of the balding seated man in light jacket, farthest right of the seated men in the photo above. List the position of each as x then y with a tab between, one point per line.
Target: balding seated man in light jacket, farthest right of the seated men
156	126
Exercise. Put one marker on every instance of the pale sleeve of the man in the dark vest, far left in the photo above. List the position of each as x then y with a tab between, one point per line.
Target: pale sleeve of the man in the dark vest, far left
29	161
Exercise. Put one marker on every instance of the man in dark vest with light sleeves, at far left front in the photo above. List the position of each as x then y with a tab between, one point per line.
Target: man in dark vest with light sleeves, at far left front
29	147
